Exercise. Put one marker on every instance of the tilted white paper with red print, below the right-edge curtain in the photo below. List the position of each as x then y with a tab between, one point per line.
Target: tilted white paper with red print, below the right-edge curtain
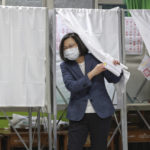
144	67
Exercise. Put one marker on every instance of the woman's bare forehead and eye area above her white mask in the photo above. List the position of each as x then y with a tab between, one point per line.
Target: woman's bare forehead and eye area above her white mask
70	43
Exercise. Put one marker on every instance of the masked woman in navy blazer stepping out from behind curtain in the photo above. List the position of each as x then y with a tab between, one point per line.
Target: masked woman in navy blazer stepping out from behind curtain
90	108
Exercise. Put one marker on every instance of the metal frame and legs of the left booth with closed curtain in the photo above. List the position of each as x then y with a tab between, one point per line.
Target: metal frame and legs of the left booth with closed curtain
37	109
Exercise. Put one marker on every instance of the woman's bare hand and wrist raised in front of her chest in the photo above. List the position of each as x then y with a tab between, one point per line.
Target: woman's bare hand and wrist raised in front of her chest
97	70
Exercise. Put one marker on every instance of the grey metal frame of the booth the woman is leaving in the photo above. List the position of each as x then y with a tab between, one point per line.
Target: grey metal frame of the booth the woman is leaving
123	108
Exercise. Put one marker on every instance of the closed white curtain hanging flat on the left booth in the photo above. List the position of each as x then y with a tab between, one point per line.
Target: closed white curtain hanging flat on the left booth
22	56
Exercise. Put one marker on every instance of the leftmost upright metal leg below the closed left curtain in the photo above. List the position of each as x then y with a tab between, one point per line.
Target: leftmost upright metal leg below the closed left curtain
30	128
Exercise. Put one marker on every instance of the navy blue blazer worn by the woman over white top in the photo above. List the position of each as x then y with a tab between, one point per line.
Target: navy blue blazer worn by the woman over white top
82	88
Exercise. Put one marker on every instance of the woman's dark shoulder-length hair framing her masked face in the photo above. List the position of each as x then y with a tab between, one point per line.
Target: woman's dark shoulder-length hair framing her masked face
82	48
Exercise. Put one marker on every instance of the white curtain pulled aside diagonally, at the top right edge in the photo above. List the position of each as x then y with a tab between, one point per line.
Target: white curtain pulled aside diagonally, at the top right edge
142	21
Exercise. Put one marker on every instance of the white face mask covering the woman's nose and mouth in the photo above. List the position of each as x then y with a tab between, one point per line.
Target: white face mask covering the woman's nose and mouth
71	53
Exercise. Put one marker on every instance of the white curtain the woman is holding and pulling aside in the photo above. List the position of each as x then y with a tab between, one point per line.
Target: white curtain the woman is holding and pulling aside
99	30
